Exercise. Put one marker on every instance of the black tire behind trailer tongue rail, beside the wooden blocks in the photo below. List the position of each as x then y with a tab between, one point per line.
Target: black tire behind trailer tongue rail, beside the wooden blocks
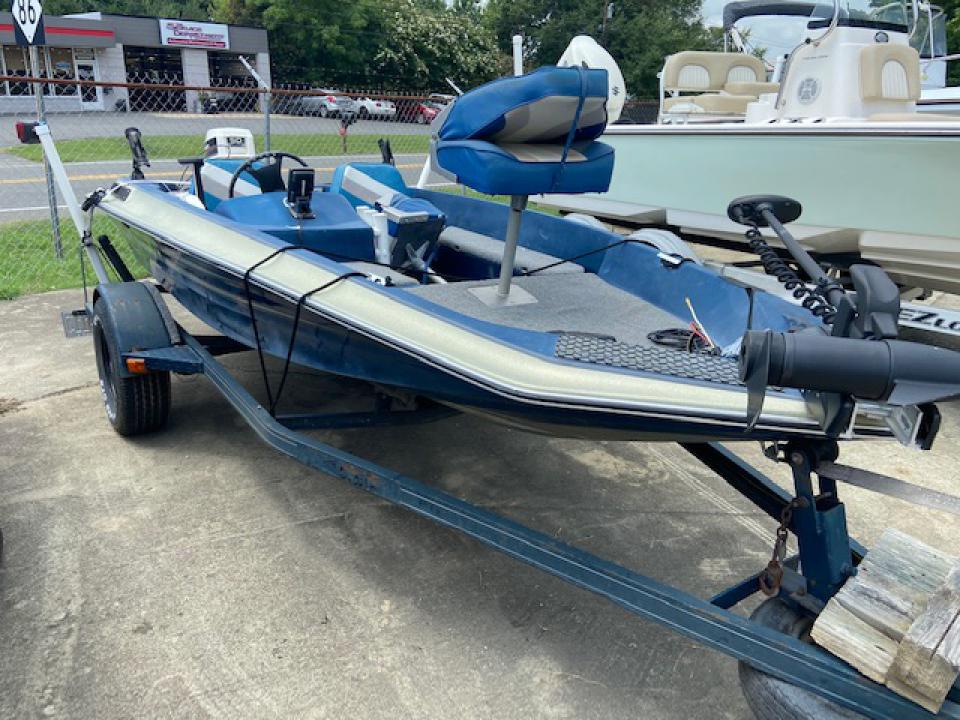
772	699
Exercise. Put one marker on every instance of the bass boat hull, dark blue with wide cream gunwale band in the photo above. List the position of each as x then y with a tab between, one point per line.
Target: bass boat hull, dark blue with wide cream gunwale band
388	336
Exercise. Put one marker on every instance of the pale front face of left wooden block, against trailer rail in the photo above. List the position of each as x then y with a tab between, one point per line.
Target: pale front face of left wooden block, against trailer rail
851	639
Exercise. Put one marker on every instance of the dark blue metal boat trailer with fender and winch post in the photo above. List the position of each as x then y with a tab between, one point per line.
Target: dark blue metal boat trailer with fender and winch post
139	319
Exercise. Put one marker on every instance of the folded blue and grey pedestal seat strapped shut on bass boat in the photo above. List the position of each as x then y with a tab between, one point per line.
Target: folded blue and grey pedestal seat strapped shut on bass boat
530	134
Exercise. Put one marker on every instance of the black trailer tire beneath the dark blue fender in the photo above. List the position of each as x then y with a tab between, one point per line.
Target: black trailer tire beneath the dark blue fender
134	405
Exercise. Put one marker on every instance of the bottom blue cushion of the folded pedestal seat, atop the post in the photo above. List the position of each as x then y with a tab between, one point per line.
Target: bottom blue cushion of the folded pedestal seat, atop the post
527	169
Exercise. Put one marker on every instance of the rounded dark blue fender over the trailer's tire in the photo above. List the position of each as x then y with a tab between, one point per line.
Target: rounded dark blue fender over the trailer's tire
137	316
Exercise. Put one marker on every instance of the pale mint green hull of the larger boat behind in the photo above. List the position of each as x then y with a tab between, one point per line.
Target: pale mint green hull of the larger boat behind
882	191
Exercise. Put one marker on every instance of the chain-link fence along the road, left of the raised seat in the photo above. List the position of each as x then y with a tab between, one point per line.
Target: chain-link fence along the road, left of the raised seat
324	126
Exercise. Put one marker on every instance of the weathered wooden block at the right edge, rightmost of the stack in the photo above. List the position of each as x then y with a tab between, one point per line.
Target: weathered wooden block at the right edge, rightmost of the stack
928	658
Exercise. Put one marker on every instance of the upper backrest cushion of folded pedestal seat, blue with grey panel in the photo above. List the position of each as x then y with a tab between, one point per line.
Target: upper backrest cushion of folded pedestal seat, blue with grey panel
535	108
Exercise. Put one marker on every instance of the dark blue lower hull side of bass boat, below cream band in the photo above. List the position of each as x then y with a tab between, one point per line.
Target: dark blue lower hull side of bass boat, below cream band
218	299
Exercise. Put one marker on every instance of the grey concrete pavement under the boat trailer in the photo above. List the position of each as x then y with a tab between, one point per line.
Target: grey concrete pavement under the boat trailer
197	573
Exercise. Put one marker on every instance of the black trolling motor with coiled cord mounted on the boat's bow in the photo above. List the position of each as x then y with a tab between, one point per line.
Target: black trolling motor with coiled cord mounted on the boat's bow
855	355
